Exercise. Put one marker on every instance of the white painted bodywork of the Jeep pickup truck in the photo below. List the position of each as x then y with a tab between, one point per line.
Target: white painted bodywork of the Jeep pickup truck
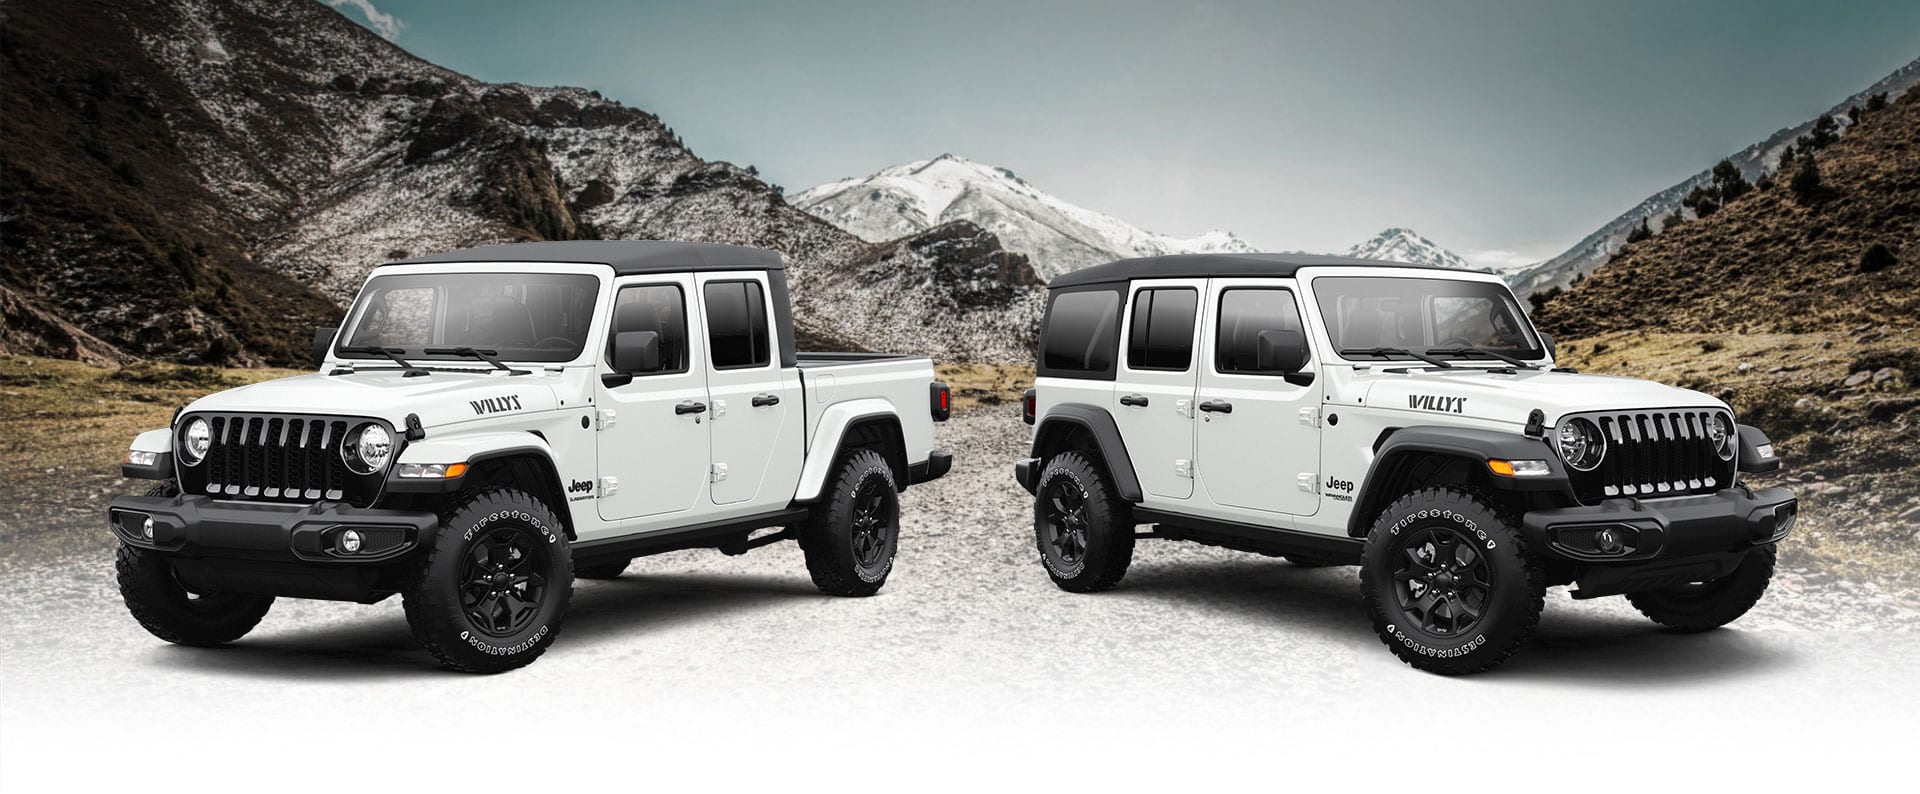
627	461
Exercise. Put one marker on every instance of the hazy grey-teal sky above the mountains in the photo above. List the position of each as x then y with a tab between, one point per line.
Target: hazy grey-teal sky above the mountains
1499	129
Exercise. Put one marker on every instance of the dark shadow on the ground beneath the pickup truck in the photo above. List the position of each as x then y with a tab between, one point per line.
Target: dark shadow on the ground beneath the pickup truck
381	645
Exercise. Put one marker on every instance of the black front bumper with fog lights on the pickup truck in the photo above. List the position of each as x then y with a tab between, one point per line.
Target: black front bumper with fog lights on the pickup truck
274	549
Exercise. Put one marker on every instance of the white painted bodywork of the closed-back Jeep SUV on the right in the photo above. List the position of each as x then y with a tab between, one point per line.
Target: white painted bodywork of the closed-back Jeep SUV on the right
1297	455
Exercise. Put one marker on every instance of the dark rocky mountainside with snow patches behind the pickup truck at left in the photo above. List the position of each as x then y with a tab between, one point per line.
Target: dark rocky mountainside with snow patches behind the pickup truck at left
208	179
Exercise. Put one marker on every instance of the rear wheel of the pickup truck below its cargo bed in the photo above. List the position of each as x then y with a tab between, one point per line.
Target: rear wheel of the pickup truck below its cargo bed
853	536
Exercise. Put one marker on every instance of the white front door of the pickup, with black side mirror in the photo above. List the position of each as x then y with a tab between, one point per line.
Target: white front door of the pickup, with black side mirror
654	429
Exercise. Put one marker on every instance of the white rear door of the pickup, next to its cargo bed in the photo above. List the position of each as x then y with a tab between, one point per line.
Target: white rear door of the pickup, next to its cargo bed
757	438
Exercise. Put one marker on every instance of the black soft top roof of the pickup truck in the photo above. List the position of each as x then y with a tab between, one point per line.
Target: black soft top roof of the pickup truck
625	256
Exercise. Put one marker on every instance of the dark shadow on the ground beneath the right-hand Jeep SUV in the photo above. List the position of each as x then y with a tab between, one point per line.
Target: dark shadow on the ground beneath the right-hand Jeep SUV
1573	645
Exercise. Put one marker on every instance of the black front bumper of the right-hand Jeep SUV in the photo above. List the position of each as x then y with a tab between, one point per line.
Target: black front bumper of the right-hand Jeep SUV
1629	544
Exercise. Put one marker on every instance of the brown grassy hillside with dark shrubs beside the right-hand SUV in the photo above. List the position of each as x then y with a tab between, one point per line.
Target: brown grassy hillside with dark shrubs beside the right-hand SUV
1802	308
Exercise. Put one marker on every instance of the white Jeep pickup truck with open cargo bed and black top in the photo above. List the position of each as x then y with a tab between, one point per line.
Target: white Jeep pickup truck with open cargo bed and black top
500	421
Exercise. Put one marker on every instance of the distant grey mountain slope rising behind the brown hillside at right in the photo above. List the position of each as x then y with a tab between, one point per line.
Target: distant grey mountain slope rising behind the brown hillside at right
1596	248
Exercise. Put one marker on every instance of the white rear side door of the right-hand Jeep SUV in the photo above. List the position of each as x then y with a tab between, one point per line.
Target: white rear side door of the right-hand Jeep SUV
1155	392
